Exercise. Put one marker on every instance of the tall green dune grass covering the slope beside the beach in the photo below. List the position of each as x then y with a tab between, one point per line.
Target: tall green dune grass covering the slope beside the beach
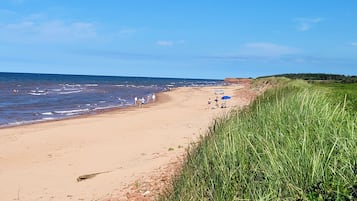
293	143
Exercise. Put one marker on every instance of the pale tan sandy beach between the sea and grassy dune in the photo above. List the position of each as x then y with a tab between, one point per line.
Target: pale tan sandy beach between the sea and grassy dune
110	150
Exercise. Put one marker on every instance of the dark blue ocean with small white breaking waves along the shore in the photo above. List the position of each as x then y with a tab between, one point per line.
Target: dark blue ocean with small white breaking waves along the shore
28	98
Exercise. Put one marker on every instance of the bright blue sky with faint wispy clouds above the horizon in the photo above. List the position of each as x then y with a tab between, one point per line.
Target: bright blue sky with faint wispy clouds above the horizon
189	39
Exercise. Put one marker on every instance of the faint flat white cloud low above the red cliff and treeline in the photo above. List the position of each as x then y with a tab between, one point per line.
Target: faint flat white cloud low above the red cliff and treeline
265	49
